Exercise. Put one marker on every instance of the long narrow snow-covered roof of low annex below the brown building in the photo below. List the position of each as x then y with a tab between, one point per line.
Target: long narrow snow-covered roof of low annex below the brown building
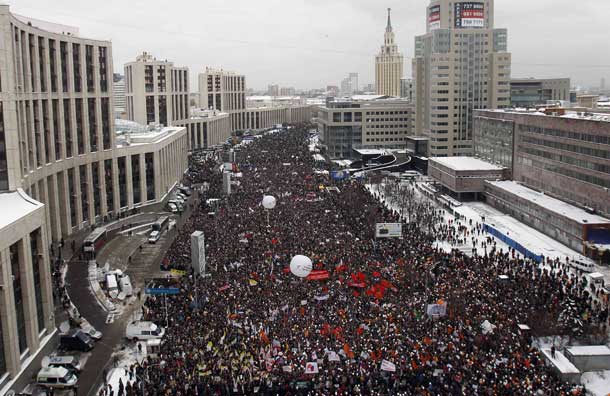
554	205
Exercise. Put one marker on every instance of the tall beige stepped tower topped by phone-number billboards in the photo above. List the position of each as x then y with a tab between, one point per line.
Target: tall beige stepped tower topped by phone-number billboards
460	64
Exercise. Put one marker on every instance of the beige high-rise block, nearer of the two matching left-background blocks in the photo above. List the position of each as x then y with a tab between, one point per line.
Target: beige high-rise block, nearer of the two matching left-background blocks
156	91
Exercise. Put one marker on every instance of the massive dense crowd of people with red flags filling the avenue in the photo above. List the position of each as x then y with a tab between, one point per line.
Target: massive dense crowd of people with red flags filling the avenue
252	327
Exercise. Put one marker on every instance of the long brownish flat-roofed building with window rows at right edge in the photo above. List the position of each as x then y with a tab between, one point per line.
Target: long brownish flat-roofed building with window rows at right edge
566	154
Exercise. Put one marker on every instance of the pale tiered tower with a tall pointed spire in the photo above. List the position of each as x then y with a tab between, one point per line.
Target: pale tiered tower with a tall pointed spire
388	64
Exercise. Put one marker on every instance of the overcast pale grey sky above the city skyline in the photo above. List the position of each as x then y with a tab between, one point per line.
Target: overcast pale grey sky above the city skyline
313	43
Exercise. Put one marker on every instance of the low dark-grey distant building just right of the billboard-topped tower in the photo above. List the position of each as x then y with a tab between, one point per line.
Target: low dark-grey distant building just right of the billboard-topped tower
530	92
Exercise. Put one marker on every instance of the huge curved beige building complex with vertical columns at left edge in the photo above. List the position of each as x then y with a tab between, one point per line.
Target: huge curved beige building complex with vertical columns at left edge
62	167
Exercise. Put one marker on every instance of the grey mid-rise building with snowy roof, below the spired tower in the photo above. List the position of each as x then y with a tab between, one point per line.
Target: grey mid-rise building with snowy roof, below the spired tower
363	122
